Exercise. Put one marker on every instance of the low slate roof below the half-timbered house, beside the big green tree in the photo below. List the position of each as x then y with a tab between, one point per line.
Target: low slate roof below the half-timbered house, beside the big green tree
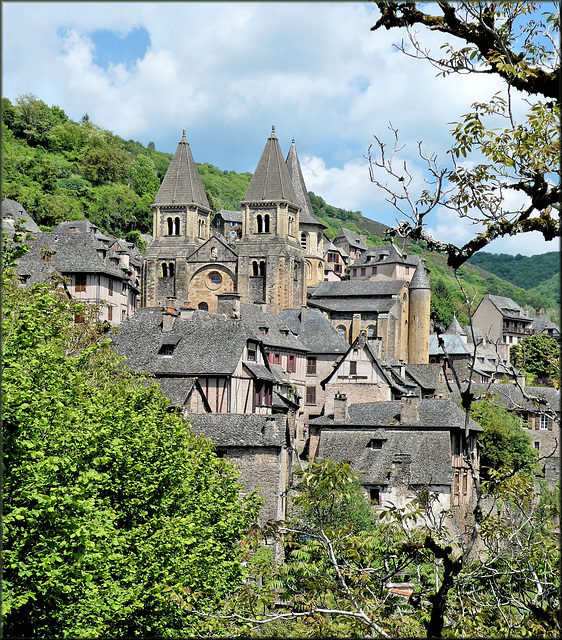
241	430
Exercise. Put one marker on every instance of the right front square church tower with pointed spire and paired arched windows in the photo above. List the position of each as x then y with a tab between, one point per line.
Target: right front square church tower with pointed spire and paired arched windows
271	264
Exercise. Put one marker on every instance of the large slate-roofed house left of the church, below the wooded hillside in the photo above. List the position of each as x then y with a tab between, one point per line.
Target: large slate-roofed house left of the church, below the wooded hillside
100	271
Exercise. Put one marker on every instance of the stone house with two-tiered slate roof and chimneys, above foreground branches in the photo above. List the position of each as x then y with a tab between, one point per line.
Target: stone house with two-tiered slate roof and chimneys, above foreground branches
402	448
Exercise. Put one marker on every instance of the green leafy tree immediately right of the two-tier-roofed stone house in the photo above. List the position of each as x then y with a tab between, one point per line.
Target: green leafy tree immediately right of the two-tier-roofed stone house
504	442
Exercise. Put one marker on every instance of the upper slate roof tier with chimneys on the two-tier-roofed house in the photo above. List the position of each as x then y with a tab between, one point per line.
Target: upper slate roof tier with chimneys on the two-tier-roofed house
434	413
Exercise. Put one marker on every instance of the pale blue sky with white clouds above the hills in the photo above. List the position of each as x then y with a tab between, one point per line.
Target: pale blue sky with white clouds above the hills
227	71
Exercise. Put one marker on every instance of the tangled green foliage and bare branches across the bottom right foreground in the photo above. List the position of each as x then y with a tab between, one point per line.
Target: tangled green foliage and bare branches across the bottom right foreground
334	581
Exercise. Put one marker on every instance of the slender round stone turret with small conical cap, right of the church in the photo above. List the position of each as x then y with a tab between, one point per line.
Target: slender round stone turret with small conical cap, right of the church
419	317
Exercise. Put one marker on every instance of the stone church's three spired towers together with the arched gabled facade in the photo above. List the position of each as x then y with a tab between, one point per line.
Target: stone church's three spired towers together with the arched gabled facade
279	253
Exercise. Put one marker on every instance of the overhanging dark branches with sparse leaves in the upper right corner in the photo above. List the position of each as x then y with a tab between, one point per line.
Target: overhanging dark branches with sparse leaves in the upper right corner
517	43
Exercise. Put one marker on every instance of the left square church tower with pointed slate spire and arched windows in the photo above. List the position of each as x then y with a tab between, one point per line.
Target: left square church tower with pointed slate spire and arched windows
180	224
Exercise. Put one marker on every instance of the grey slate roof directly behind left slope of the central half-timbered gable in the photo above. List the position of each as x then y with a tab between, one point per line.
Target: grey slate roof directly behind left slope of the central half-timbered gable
316	332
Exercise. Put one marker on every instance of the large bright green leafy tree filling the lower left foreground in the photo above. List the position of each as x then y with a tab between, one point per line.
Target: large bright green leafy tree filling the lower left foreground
109	500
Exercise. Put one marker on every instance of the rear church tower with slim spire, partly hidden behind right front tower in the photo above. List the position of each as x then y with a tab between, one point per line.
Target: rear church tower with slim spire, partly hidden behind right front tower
311	230
